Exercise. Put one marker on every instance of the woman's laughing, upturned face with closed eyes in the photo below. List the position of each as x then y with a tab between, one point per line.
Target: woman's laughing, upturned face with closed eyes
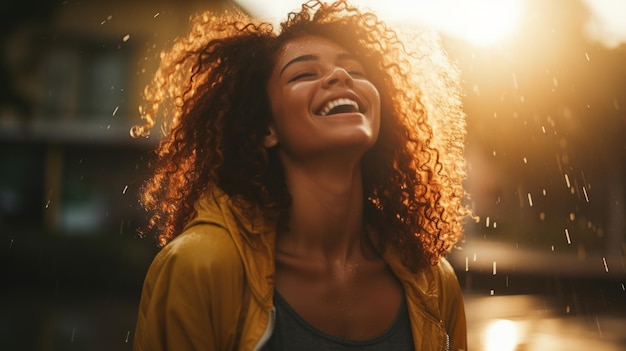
321	100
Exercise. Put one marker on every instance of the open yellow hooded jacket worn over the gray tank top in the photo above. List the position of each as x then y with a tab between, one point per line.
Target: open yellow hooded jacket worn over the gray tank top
212	287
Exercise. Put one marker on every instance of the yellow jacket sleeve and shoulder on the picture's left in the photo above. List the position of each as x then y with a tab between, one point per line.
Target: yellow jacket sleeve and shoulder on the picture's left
190	295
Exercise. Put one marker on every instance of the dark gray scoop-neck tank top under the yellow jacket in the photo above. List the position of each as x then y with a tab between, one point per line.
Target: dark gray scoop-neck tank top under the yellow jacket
291	332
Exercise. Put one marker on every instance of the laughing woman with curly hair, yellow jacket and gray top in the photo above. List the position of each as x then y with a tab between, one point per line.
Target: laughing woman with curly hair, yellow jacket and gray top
303	196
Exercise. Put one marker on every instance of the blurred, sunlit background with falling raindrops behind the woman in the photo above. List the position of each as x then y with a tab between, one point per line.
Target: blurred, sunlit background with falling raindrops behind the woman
545	95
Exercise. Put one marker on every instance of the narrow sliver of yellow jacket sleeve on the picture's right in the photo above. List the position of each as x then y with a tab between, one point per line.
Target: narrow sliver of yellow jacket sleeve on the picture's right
452	306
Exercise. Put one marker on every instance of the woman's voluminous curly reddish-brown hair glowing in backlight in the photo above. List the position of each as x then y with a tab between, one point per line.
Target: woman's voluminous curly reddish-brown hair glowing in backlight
212	84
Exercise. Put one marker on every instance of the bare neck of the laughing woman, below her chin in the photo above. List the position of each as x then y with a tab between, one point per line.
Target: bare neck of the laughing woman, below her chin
326	215
